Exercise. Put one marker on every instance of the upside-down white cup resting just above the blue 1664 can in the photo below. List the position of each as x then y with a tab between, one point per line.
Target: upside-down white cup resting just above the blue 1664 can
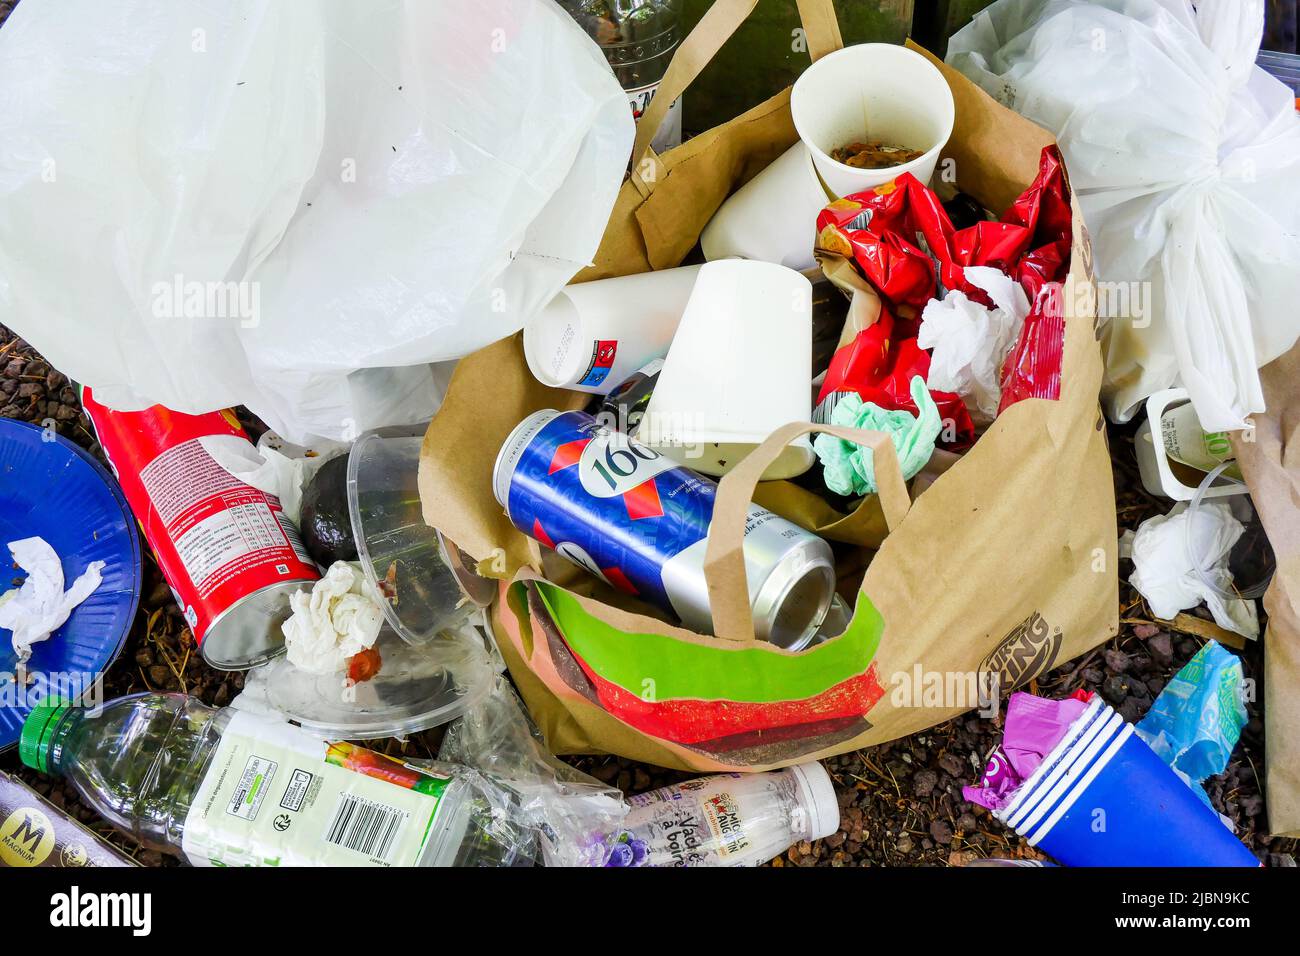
739	369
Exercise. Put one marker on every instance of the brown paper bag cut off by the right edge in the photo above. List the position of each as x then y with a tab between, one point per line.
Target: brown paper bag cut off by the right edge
1271	465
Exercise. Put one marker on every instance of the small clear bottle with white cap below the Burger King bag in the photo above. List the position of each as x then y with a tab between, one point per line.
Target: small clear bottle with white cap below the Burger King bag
730	820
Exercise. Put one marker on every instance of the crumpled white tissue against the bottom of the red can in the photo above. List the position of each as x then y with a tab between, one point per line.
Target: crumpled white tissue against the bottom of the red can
333	622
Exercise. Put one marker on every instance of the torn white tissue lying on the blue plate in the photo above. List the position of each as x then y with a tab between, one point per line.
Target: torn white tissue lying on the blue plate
41	607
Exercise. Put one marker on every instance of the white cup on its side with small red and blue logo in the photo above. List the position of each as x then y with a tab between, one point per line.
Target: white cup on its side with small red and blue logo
592	336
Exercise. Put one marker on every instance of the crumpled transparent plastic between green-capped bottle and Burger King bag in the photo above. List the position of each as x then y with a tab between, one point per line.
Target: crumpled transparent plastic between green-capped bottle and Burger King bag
573	816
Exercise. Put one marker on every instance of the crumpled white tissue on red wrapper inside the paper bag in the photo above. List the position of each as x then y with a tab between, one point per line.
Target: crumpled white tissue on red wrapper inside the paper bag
970	341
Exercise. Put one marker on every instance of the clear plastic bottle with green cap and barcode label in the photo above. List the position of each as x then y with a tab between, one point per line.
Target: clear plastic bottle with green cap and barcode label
232	789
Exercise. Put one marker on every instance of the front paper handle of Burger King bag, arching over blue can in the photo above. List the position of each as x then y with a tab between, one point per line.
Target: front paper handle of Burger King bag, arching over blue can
725	555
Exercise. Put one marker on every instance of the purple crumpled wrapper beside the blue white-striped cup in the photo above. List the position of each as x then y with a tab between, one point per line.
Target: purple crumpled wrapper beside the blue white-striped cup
1034	728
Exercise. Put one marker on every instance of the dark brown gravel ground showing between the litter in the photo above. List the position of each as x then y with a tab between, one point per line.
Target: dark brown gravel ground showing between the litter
902	802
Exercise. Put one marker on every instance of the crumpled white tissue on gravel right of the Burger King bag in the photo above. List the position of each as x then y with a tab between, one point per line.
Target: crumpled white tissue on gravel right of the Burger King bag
1164	573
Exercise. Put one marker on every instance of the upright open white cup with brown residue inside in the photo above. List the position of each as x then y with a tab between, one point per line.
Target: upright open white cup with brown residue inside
873	92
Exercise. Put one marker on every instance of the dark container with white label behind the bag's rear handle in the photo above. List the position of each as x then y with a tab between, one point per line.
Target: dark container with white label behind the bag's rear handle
639	40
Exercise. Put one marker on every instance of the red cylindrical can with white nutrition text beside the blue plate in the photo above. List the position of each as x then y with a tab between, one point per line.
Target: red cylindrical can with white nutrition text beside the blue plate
227	550
